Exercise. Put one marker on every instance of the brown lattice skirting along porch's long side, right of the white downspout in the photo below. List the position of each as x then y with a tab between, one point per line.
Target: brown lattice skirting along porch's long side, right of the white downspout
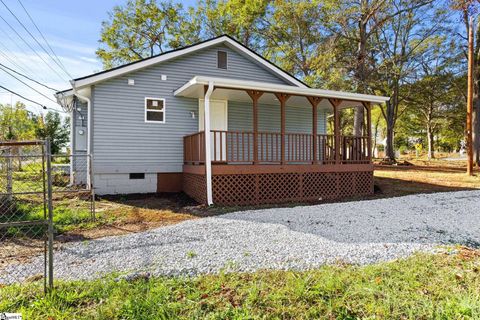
252	189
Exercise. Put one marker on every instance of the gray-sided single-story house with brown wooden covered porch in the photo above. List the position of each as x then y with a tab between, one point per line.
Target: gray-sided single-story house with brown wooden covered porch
145	125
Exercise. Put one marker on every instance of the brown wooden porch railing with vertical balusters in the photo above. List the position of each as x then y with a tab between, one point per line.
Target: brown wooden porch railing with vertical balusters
238	147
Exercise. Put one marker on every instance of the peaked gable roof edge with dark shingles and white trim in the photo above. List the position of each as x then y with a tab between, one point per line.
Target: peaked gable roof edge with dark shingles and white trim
223	39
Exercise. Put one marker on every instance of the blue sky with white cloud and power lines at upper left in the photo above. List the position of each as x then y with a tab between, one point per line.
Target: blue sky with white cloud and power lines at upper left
71	28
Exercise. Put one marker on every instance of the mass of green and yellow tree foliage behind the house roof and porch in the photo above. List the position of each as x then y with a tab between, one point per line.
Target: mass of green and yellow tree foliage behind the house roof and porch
395	48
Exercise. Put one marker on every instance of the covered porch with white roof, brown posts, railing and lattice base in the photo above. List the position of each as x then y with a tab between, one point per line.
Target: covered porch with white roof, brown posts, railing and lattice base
275	159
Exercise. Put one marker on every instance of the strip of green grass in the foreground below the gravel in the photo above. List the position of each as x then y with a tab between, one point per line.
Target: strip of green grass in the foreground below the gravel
421	287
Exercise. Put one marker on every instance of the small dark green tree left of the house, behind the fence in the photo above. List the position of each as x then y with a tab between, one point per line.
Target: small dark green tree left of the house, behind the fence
51	127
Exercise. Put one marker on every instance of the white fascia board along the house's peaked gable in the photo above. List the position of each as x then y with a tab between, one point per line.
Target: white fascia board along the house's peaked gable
167	56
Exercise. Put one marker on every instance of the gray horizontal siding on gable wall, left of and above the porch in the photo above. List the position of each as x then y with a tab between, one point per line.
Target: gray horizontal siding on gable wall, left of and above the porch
123	142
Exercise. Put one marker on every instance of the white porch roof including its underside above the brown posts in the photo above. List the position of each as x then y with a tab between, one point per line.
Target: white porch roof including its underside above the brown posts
234	90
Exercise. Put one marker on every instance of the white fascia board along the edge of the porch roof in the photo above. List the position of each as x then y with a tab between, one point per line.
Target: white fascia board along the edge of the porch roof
276	88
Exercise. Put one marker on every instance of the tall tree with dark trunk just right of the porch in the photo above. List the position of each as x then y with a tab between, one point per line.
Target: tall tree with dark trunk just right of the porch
403	43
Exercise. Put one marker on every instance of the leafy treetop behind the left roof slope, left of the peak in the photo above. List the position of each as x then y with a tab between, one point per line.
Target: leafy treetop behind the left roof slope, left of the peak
143	28
